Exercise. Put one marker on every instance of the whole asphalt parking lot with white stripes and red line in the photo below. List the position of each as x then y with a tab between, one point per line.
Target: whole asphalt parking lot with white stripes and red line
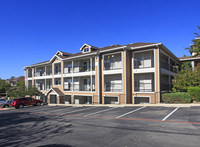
100	126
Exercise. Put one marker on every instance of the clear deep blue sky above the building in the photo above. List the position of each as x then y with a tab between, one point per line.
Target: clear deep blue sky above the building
32	31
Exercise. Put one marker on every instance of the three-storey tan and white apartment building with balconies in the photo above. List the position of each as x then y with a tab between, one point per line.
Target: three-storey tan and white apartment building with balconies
118	74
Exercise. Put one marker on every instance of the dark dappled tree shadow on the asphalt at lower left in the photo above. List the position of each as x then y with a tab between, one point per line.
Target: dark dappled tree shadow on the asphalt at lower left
28	129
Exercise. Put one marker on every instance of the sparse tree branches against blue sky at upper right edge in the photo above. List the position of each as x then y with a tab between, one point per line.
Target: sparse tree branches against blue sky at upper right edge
195	47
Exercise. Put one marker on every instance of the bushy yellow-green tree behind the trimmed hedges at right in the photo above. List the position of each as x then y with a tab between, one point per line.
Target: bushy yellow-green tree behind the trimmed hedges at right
185	79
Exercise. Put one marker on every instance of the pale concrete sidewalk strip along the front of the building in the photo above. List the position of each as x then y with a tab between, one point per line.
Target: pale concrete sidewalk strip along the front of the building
128	105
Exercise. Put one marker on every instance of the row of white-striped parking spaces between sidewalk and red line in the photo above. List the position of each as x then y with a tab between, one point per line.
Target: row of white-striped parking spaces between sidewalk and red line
188	114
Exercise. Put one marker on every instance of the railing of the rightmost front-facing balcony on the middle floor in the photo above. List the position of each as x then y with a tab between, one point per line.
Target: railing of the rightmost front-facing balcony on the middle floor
143	87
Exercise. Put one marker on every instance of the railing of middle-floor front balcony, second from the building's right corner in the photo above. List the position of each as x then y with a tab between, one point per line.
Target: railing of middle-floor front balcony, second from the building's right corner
113	87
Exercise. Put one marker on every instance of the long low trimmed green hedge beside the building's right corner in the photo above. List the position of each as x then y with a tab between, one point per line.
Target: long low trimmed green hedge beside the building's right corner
179	97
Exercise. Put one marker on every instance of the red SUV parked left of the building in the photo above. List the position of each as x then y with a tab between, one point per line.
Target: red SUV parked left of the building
25	101
